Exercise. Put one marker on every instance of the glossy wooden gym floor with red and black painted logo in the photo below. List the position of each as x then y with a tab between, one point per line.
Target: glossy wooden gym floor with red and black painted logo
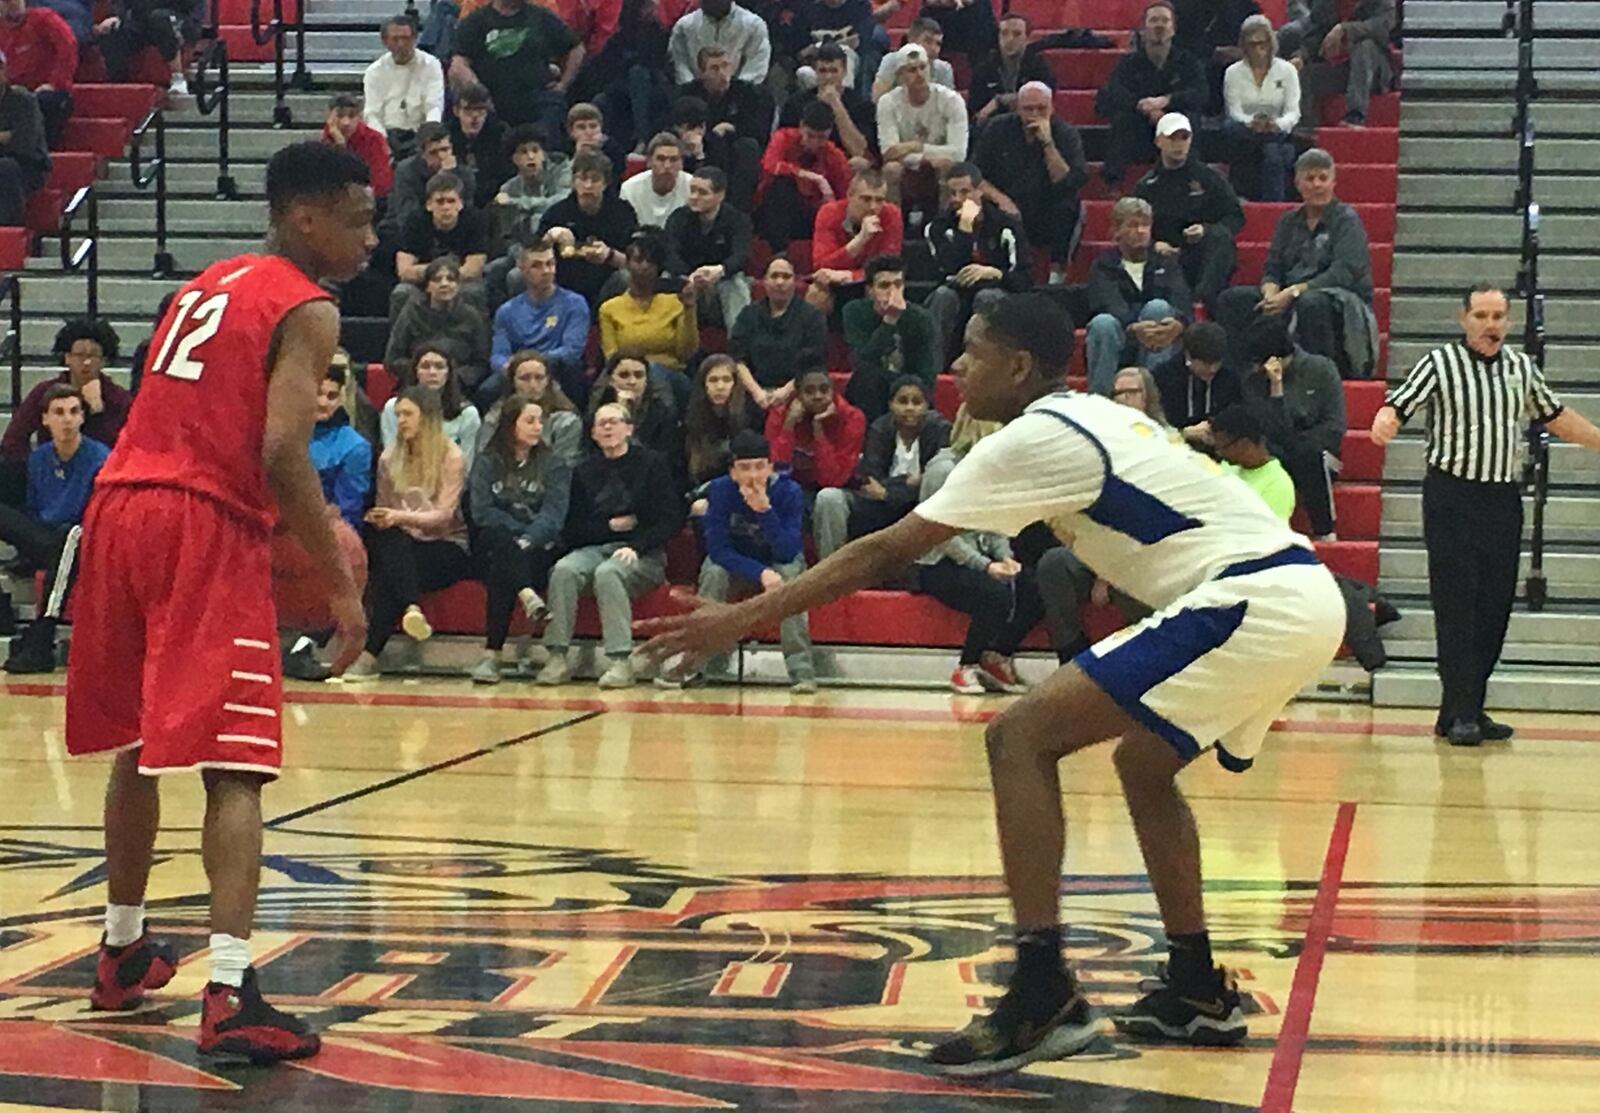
722	901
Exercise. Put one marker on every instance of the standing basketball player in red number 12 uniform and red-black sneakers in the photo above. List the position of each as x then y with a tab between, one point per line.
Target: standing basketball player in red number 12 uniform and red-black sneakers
175	652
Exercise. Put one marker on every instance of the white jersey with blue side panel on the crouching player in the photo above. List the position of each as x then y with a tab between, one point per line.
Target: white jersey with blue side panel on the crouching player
1151	517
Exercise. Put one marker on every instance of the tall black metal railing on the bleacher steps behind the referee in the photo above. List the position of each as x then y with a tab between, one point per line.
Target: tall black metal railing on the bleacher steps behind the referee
1537	474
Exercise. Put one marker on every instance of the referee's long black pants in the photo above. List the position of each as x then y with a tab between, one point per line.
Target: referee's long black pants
1474	541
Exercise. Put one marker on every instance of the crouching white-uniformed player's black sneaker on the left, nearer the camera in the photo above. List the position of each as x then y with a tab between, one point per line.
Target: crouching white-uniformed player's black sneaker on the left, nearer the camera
1025	1027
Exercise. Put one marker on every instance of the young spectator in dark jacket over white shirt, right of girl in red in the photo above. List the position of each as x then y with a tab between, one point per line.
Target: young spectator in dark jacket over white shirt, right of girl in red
897	450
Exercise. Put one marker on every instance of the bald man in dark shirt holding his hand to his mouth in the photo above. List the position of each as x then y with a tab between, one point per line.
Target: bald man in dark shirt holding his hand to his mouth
1033	164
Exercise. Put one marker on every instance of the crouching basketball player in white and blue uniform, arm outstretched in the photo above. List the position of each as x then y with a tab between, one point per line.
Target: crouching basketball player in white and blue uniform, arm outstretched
1244	618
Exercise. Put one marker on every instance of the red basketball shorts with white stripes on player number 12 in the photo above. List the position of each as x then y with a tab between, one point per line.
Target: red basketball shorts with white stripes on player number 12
175	644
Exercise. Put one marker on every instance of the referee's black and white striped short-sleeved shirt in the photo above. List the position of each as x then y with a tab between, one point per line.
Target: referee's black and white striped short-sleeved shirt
1478	410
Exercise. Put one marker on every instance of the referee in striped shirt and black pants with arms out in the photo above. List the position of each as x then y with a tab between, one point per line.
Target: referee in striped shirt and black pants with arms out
1479	401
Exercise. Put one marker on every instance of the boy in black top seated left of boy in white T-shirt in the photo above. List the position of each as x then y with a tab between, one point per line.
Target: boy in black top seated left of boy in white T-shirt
591	229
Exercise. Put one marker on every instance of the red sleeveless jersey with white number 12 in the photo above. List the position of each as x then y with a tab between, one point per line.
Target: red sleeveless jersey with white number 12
201	418
